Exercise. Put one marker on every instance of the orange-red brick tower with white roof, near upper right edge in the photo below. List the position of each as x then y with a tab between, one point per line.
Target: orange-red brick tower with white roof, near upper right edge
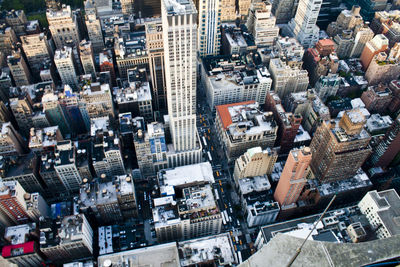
373	47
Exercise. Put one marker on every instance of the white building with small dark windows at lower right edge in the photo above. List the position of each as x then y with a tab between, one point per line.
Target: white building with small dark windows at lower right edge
383	212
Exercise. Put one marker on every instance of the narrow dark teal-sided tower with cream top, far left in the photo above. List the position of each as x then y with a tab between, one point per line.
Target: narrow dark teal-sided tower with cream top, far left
54	112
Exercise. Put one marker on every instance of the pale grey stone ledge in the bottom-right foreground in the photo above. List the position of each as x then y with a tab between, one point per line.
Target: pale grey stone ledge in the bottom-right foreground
317	253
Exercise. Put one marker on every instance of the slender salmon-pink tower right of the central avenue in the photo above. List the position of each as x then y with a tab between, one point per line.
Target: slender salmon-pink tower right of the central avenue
293	177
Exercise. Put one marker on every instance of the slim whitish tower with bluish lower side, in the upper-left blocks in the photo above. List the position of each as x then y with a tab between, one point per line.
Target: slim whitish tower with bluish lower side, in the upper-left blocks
64	60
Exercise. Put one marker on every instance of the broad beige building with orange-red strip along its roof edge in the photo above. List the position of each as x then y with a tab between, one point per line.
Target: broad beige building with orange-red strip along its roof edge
242	126
